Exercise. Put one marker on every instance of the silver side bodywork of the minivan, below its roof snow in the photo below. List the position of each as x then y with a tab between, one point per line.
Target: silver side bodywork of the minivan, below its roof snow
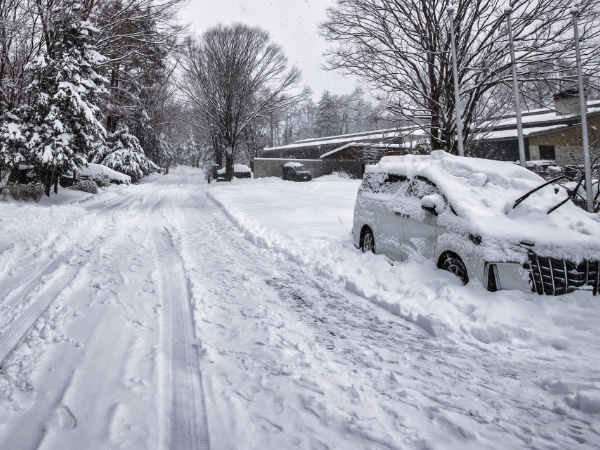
400	226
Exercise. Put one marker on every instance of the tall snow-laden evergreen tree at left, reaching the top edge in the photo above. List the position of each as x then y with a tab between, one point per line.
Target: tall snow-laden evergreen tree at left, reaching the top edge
60	126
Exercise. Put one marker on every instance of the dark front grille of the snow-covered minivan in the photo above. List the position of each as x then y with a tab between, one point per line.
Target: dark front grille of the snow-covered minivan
553	276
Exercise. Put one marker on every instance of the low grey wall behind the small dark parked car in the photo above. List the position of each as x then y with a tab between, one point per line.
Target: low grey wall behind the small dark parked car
271	167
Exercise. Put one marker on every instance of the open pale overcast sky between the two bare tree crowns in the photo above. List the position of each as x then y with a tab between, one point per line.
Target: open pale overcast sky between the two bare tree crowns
292	24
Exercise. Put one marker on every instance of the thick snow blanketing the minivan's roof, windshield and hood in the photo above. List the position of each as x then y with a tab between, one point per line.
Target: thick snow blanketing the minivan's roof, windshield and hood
484	191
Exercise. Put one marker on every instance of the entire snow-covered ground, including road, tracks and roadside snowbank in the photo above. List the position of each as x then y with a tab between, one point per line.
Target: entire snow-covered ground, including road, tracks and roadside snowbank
240	316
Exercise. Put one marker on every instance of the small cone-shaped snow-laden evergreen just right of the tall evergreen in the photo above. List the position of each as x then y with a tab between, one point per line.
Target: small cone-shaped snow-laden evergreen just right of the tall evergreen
122	152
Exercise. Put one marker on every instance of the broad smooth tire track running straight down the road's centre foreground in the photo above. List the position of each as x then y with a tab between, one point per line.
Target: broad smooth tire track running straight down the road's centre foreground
188	427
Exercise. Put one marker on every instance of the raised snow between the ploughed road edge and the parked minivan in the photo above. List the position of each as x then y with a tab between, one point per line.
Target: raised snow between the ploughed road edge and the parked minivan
310	224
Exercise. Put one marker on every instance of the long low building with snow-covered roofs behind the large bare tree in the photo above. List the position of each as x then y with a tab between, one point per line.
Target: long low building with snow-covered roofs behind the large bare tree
549	134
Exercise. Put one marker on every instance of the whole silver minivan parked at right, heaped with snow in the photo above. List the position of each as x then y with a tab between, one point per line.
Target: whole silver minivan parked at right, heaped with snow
492	222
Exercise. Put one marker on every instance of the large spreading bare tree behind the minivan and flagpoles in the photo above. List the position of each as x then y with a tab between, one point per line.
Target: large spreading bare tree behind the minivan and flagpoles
401	47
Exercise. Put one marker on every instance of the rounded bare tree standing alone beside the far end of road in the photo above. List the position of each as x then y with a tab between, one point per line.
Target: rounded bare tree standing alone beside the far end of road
234	75
